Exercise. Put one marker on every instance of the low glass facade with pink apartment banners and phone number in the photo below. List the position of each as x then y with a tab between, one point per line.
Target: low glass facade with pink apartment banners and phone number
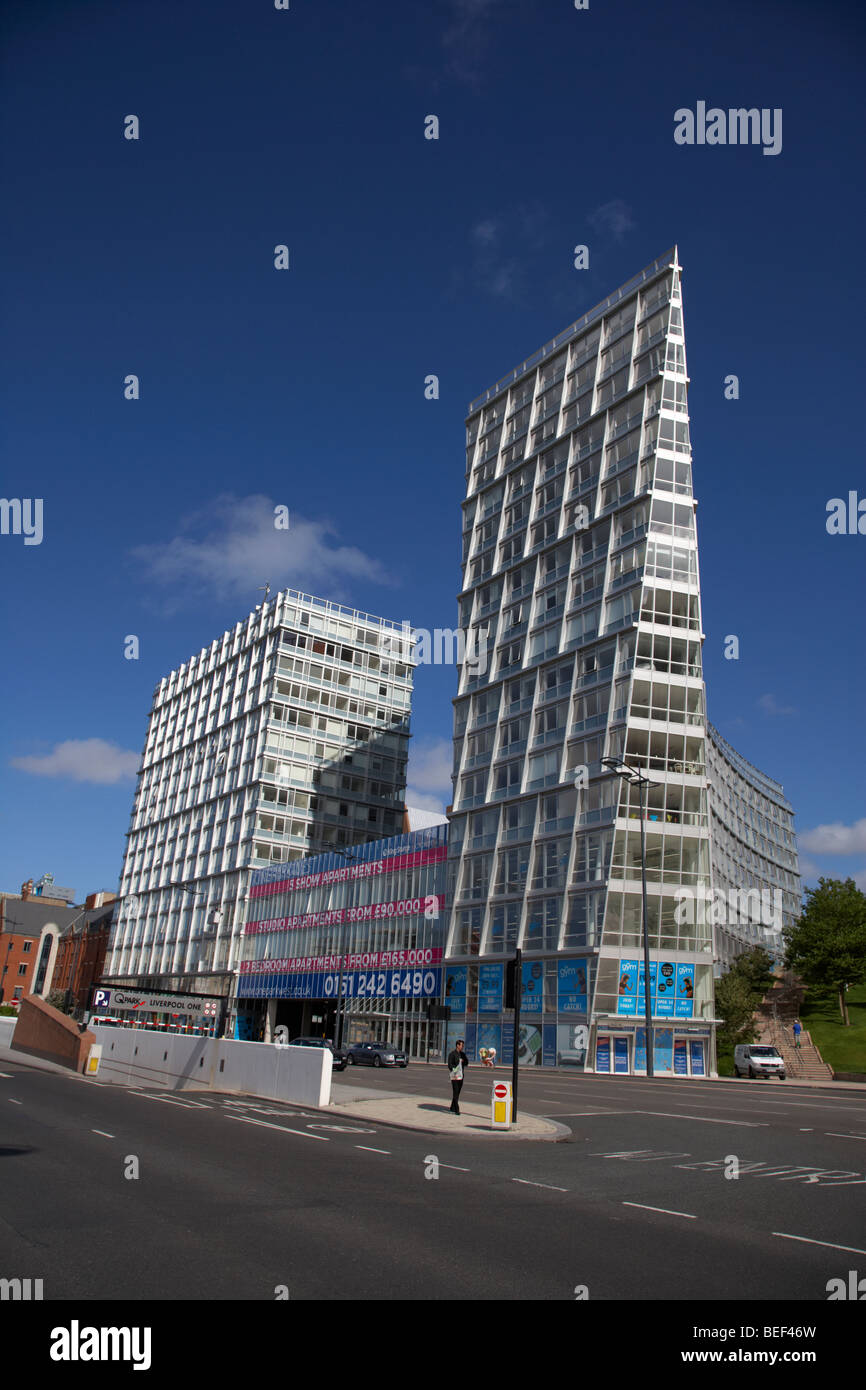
359	935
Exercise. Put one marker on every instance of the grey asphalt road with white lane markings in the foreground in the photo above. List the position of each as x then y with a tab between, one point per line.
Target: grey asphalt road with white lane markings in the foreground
237	1197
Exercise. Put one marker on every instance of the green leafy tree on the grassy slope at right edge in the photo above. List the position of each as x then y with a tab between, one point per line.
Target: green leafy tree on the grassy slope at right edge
828	946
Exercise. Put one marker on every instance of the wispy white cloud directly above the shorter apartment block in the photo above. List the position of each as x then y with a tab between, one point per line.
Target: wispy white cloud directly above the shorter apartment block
231	547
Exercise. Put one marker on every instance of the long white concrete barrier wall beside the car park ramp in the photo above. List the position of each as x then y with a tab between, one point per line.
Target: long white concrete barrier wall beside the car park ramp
138	1057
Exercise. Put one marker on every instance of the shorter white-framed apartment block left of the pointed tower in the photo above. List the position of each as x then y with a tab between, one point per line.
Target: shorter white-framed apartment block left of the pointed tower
287	736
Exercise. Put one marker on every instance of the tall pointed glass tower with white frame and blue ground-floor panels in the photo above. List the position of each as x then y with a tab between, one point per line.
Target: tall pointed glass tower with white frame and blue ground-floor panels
580	558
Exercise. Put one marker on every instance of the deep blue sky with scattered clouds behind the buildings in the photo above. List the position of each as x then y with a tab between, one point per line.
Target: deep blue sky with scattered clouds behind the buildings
408	258
